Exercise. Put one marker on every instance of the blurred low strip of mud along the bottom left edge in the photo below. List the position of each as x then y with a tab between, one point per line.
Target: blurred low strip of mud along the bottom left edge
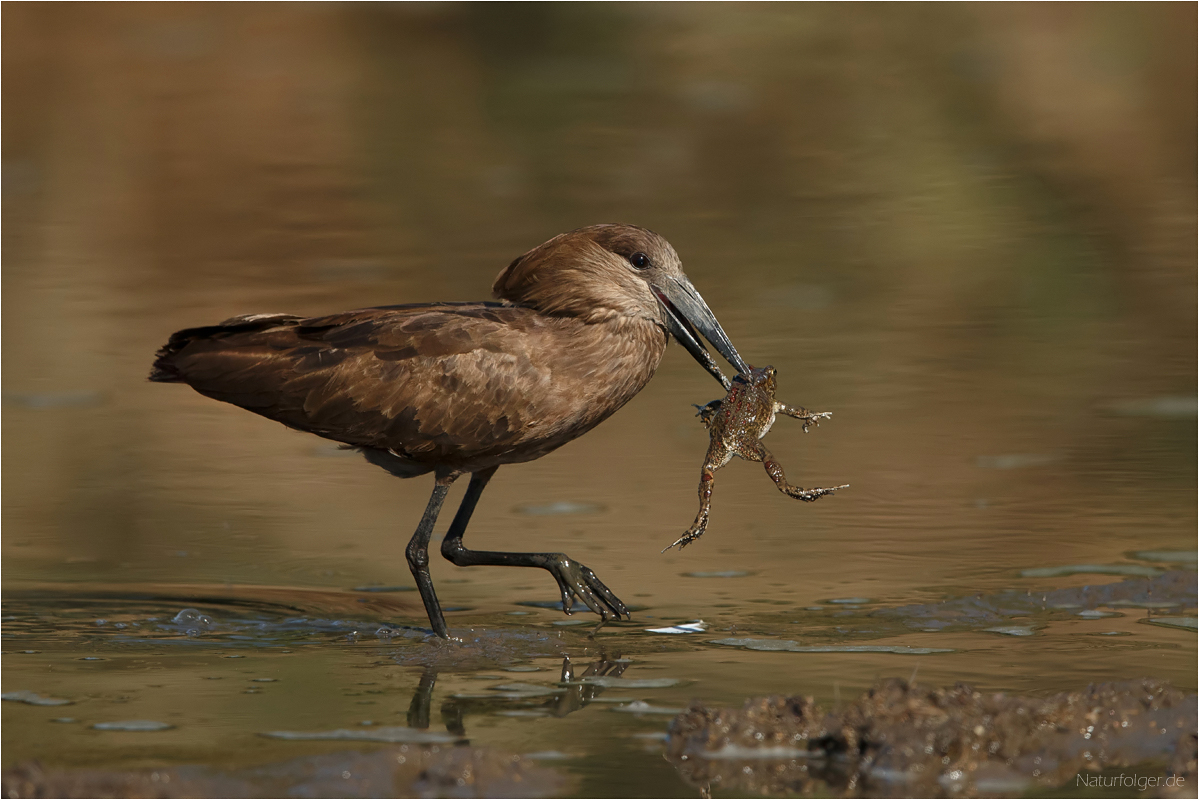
405	772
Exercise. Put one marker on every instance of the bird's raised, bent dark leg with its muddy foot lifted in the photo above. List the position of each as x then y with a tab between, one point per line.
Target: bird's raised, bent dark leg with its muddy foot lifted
574	579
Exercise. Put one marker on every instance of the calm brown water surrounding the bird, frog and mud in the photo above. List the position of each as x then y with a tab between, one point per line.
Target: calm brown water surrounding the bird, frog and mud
992	296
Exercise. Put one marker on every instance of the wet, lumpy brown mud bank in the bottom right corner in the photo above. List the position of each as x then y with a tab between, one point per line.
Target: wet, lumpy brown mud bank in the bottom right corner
906	741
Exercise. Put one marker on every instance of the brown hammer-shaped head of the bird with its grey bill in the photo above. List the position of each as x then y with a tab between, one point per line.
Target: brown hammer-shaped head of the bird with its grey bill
610	272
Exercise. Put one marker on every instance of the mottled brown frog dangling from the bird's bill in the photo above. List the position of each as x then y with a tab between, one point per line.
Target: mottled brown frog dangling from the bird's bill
737	425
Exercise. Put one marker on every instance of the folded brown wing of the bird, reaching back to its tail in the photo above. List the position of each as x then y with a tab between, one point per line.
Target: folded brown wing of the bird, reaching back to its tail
430	382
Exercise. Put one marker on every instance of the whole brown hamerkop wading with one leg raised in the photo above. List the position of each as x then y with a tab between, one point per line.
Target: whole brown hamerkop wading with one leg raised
454	388
